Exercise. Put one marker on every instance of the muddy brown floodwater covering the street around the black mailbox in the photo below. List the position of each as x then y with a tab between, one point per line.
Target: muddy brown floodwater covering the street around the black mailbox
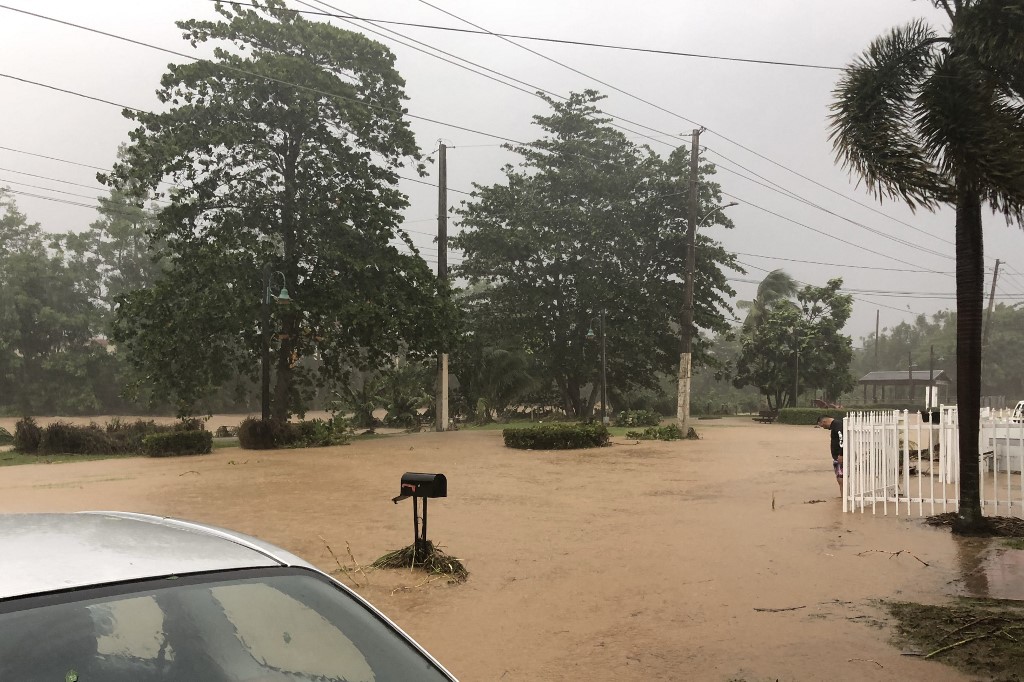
726	559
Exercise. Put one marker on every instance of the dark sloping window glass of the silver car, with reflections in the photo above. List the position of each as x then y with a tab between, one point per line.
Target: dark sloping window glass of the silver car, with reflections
263	626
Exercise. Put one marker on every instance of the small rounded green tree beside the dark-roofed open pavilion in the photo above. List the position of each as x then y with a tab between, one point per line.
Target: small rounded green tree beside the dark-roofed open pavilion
799	348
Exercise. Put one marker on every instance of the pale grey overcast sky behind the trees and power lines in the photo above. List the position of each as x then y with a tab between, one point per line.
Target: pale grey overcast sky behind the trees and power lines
762	120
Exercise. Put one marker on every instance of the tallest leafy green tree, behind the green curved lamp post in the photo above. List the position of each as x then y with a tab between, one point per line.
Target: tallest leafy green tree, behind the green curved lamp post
283	152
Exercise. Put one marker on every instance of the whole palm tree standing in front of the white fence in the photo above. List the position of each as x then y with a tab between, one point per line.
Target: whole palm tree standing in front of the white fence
935	120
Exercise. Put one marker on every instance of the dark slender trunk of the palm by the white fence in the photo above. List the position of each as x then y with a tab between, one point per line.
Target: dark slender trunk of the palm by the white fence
970	305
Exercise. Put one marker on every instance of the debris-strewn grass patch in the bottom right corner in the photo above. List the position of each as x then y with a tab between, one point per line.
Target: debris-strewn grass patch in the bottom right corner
977	636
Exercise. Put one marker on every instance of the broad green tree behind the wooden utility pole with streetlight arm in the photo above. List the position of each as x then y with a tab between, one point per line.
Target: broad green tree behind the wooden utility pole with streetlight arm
590	223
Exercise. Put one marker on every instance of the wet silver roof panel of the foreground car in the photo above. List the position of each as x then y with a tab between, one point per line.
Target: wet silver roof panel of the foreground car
52	552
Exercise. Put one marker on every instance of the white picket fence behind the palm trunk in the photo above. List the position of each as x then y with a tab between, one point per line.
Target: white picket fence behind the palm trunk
895	463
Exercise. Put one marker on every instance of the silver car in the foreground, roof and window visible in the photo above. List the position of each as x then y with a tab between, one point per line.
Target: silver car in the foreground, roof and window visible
120	598
